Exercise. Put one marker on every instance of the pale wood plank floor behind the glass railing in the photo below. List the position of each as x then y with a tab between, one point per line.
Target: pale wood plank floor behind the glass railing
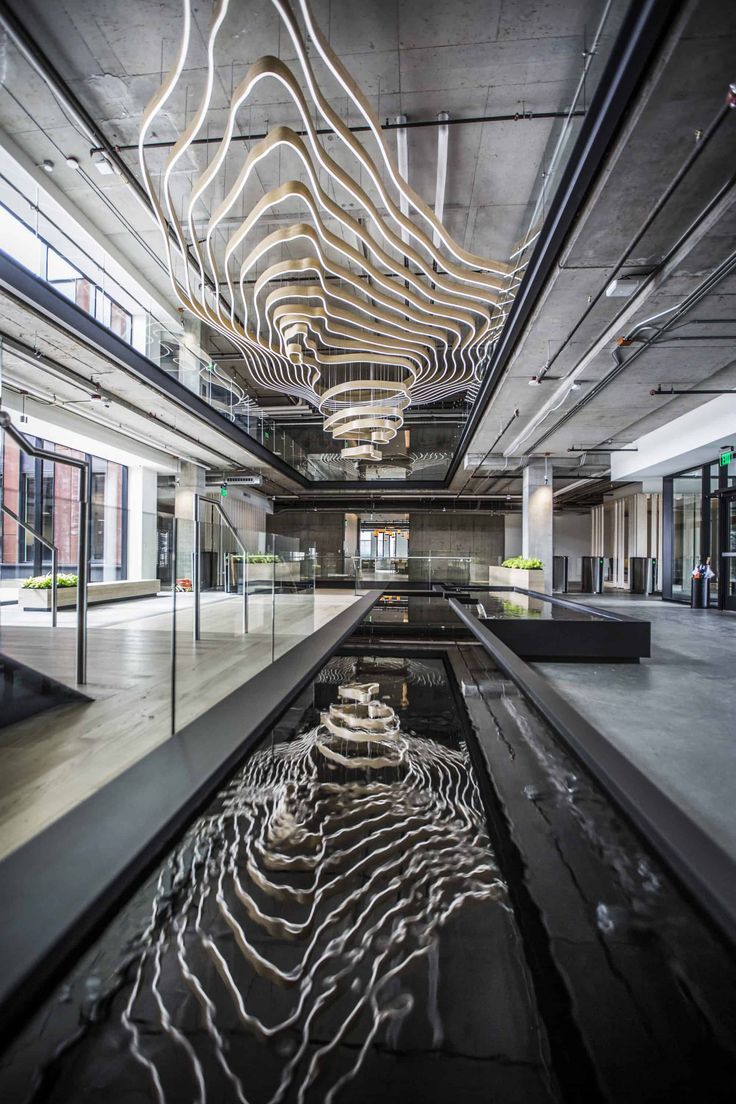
54	761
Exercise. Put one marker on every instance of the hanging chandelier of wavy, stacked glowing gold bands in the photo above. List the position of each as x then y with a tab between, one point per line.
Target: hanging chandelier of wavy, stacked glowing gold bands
360	312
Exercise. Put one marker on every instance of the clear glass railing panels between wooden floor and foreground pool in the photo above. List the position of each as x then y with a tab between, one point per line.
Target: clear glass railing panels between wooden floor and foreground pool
207	608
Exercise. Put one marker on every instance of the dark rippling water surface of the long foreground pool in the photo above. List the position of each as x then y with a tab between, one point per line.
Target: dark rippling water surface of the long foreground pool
380	907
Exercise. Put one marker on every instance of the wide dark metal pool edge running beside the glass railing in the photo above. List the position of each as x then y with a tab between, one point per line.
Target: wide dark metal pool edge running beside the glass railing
59	890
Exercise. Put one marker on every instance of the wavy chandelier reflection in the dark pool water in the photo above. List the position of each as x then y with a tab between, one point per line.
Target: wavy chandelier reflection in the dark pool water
326	874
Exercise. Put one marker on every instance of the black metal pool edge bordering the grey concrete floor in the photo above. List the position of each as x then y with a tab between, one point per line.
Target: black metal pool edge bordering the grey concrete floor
706	871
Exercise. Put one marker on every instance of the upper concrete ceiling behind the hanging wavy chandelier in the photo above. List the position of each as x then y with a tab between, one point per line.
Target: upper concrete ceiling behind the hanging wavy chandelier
417	58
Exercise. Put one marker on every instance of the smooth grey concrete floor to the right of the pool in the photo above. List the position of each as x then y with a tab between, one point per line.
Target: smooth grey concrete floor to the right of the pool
674	715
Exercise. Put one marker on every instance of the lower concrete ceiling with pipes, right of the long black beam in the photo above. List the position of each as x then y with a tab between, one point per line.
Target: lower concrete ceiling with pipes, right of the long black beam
575	327
